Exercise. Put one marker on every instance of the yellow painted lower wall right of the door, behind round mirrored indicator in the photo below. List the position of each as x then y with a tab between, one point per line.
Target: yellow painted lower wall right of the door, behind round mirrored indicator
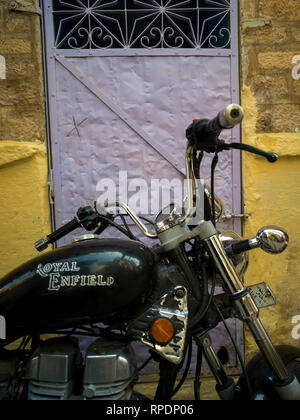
272	196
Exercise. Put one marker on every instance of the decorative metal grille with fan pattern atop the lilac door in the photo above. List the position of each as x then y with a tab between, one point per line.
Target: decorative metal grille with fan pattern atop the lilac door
148	24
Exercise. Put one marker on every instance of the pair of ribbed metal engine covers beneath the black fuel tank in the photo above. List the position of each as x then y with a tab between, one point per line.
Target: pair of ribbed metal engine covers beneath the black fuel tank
56	371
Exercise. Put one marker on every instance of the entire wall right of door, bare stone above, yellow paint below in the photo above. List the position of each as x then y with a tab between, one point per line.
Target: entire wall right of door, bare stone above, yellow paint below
270	43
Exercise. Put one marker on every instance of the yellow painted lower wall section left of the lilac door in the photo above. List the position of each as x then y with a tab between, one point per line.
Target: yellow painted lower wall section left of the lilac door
24	210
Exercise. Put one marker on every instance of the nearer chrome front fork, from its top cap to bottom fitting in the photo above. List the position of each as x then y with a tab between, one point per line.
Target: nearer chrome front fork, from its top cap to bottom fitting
286	386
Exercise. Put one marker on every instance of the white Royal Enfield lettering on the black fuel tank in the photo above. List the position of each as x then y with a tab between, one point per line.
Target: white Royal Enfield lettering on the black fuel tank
59	276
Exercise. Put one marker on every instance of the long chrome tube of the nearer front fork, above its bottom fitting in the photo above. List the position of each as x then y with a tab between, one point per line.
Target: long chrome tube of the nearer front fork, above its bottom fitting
245	305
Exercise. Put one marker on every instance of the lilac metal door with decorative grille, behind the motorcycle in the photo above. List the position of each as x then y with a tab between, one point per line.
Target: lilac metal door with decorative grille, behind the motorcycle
125	79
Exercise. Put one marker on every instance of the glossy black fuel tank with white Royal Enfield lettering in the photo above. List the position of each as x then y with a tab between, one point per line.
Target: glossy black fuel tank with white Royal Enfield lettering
88	281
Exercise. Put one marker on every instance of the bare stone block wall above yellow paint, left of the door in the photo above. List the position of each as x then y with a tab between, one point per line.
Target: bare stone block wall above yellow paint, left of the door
22	104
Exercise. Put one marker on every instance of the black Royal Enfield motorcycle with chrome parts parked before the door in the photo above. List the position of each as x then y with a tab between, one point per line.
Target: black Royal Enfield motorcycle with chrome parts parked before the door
162	296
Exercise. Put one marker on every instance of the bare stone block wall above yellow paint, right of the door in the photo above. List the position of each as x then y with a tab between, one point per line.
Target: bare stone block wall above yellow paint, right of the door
270	61
